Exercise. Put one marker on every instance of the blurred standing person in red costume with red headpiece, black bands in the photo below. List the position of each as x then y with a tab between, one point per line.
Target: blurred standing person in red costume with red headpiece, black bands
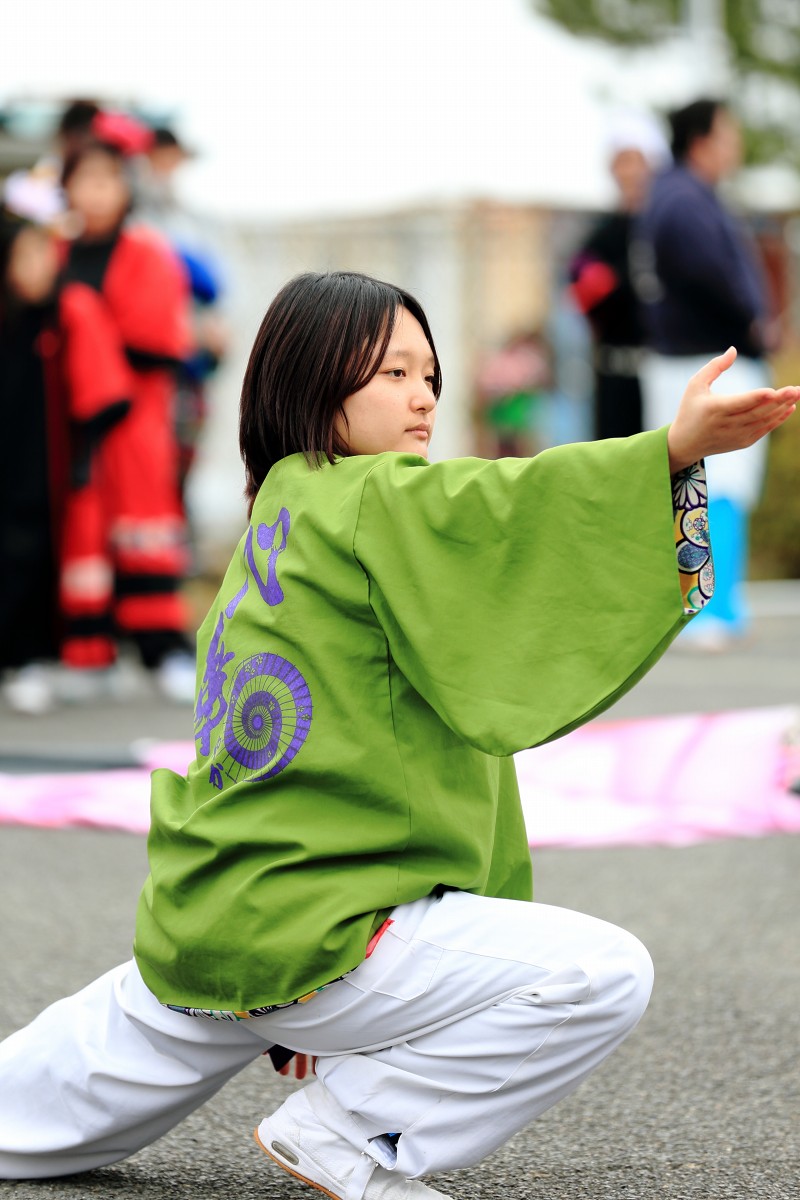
146	291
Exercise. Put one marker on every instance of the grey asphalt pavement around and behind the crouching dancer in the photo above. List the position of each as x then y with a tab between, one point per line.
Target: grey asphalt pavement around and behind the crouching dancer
703	1101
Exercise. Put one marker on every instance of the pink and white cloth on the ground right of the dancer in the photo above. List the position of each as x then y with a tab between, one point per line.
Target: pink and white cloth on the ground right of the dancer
671	781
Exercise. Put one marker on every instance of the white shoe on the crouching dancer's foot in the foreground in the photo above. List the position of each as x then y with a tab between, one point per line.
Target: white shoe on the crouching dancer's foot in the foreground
297	1141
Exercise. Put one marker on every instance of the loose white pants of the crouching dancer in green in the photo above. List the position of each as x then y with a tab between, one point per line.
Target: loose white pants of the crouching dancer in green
471	1018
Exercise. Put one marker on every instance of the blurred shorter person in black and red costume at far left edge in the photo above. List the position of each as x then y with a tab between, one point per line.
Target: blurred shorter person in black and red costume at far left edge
64	385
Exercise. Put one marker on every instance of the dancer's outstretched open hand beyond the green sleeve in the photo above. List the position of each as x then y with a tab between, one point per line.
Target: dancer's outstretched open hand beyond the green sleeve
709	424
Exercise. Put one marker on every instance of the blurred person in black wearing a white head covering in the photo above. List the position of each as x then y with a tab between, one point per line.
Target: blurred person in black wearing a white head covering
601	285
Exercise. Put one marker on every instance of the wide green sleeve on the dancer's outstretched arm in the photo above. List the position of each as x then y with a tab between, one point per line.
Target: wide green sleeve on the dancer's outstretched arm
520	598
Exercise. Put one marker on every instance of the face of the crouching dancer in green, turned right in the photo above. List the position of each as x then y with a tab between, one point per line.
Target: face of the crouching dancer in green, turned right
396	411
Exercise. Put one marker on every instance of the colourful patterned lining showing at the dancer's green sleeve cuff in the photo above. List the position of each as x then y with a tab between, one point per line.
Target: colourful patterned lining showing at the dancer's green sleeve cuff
693	543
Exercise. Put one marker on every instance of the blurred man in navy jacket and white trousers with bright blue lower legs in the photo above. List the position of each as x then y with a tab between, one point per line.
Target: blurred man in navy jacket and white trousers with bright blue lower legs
703	290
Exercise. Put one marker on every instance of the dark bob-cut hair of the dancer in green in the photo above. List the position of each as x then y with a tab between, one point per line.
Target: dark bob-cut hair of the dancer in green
322	340
